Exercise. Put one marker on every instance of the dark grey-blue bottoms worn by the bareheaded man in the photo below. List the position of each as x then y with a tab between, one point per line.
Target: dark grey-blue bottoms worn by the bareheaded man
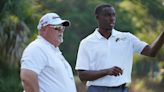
107	89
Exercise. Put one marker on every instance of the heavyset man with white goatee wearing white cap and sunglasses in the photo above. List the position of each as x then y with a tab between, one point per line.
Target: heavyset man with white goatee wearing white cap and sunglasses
43	67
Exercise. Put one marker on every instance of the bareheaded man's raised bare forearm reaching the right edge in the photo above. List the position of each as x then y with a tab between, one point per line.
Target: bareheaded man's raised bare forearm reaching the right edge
152	50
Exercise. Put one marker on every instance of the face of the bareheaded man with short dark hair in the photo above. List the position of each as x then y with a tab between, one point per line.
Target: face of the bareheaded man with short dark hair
106	18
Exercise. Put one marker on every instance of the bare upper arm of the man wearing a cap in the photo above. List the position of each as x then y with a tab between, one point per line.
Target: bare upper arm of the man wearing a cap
30	80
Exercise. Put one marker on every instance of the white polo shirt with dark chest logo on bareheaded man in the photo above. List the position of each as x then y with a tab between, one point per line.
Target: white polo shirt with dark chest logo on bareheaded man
96	53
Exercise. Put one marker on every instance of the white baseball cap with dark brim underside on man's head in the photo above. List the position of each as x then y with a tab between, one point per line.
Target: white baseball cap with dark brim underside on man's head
52	18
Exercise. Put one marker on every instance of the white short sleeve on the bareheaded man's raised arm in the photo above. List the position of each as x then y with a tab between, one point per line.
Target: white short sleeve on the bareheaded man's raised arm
138	45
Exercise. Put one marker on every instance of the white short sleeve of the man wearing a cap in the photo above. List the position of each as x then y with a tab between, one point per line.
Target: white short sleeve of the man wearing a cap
33	58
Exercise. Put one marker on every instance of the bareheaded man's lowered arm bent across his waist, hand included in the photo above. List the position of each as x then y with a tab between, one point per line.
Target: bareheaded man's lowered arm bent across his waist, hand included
90	75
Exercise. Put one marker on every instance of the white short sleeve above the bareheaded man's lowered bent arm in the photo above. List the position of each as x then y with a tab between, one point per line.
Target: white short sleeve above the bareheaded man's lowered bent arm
82	62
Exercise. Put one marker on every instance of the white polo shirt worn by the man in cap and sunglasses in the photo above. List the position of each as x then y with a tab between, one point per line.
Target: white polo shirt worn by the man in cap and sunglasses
54	72
